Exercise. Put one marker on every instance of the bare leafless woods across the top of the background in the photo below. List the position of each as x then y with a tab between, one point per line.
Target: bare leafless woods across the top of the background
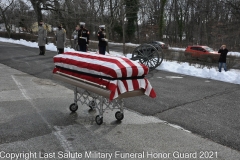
176	22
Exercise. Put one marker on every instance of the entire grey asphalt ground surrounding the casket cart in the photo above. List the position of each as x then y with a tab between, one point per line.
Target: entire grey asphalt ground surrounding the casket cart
34	116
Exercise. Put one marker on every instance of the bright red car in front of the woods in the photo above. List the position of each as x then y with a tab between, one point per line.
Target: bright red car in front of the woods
204	53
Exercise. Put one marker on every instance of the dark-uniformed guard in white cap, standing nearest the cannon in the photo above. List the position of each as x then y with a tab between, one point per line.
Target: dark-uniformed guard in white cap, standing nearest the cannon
102	40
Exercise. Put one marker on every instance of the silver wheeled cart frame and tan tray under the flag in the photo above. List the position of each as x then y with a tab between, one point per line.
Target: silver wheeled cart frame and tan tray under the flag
96	96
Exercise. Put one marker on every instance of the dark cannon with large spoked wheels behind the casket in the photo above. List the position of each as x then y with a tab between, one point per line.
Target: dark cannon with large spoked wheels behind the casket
148	55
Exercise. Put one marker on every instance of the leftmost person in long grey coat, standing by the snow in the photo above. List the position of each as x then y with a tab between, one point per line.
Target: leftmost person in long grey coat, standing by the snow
42	37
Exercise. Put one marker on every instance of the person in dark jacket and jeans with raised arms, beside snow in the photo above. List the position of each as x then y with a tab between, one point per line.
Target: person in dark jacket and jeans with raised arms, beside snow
223	58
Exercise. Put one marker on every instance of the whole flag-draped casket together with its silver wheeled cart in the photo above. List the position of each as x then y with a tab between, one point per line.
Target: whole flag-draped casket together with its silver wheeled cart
102	81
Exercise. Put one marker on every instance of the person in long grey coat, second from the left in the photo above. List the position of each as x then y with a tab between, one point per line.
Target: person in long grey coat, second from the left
60	38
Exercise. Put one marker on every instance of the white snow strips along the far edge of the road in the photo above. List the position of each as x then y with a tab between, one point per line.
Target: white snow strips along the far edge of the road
232	76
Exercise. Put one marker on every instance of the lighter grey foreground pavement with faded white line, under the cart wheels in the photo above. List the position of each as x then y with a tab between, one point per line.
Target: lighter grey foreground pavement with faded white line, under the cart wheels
35	118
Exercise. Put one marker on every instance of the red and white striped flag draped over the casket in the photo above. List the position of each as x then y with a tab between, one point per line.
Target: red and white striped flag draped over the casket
118	74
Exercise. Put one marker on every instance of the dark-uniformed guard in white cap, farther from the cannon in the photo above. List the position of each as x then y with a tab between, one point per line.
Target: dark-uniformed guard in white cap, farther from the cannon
83	37
